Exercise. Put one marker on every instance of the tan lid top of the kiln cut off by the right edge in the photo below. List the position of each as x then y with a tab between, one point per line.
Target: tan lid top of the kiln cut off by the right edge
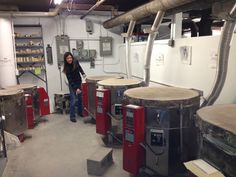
223	116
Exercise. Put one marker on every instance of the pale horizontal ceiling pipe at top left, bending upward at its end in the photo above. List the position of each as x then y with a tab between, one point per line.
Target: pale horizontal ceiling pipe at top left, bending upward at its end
32	14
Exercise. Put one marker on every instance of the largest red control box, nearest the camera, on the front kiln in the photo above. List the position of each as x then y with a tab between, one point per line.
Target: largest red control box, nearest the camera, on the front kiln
133	135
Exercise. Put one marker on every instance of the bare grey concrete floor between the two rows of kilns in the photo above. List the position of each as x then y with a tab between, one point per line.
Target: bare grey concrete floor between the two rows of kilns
59	148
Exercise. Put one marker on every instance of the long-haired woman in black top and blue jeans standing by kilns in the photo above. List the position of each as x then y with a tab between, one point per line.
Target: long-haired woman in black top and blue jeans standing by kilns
72	69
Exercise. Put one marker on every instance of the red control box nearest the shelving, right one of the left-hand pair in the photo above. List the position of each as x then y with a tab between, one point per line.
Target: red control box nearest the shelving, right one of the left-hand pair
43	102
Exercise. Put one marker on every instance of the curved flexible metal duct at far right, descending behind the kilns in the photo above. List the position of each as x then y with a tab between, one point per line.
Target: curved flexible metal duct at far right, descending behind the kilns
225	41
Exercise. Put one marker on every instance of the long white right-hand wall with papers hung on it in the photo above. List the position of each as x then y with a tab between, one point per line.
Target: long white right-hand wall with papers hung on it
201	74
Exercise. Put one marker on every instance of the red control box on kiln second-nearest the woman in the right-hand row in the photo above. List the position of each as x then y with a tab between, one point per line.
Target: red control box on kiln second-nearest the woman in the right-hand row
103	106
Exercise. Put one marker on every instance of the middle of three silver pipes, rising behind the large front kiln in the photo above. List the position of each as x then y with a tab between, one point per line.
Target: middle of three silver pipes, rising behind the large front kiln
151	38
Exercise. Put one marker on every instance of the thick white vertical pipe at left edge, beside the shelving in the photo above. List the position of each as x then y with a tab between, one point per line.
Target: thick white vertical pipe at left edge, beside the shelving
7	59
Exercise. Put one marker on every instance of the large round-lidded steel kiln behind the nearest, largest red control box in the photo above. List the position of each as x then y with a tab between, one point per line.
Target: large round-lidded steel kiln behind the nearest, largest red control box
170	133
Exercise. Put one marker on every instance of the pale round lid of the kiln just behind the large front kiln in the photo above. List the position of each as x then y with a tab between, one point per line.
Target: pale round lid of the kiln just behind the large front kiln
119	82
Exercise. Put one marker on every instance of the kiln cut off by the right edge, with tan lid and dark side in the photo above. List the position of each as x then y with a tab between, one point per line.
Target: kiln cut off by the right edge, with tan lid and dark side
218	137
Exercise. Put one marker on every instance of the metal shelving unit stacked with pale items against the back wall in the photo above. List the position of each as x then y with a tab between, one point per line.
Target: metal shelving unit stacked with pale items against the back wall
30	52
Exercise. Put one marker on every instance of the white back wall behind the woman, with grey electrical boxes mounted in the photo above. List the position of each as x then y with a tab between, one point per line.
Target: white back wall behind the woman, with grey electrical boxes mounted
75	29
